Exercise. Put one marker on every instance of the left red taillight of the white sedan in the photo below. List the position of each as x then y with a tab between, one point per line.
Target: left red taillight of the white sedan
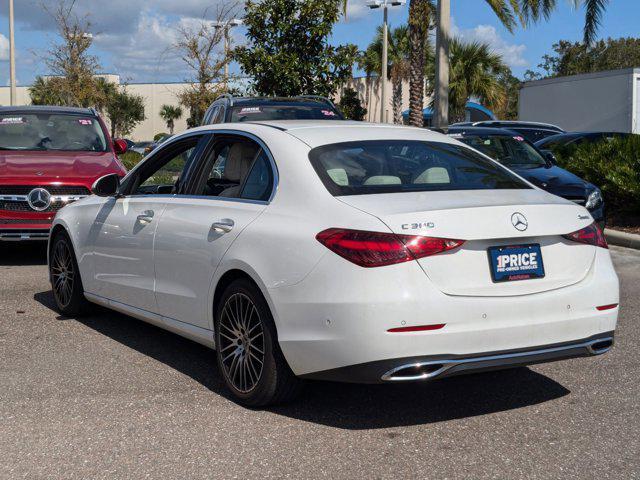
376	249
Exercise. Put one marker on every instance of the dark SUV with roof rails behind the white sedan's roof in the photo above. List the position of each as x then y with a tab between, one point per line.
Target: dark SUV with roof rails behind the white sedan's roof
228	108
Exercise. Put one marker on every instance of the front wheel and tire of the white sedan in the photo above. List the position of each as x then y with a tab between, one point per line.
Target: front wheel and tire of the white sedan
64	276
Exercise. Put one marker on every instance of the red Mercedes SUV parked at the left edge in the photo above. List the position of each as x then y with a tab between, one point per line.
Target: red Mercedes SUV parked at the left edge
49	157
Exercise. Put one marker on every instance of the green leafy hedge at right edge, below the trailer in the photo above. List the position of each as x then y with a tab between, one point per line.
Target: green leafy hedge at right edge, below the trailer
612	165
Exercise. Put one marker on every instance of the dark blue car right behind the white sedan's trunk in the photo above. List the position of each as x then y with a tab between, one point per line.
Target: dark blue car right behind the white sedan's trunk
520	155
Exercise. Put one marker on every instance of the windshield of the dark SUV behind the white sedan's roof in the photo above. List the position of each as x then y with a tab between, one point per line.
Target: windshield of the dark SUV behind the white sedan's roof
252	113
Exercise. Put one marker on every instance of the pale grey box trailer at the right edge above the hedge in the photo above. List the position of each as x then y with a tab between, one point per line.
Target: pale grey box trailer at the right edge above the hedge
603	101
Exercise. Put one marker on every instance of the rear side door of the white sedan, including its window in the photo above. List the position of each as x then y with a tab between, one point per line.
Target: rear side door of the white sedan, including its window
232	186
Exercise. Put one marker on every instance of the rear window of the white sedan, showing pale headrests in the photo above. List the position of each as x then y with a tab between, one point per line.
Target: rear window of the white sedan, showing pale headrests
391	166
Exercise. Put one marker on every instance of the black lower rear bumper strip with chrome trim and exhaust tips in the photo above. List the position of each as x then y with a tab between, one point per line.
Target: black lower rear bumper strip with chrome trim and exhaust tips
433	367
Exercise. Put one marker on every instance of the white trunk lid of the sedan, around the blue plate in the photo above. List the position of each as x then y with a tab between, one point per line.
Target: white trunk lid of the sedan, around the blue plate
483	218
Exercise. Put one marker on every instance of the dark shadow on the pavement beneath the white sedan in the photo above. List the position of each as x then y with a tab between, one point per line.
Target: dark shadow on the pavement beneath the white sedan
345	406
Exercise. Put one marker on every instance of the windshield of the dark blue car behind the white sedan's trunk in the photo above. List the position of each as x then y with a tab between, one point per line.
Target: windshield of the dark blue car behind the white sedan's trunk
512	151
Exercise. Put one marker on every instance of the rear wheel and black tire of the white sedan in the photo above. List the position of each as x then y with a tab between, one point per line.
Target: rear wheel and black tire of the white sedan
241	345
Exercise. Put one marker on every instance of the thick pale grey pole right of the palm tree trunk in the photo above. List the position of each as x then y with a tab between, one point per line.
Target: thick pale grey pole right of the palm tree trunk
441	103
